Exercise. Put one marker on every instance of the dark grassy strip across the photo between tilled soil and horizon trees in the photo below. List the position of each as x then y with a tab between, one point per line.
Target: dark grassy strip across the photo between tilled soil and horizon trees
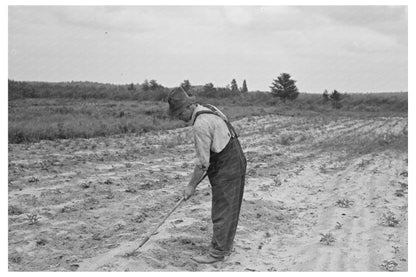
36	115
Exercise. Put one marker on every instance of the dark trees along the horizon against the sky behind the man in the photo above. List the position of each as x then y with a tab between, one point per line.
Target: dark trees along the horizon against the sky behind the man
283	87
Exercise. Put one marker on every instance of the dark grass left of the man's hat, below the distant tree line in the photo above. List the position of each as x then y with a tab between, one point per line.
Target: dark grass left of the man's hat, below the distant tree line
32	120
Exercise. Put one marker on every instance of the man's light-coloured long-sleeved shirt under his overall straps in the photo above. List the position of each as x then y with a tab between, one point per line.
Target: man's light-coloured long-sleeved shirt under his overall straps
210	134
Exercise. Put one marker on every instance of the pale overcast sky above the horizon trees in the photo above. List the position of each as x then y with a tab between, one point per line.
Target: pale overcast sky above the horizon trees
348	48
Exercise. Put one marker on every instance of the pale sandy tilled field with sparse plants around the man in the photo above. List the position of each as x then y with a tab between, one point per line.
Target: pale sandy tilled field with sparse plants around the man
321	195
